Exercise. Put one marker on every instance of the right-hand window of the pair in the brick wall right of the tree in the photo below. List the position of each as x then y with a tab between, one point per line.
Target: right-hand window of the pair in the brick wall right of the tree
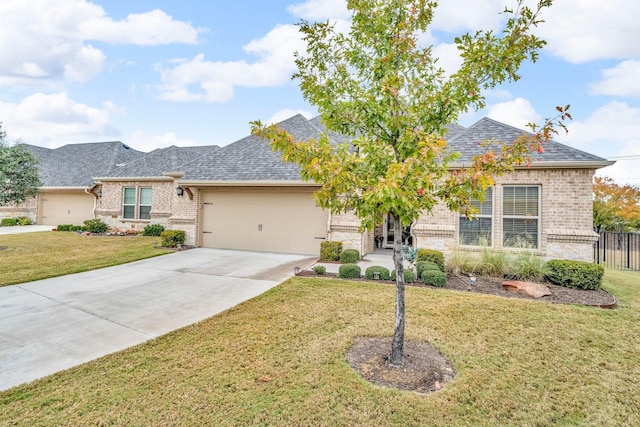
520	216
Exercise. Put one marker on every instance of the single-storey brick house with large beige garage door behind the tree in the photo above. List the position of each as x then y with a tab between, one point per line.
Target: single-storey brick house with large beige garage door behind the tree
243	196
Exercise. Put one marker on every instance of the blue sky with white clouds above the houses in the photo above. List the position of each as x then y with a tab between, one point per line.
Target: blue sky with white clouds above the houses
159	73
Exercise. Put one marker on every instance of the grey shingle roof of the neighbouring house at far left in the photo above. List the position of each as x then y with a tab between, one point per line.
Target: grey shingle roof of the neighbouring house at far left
75	165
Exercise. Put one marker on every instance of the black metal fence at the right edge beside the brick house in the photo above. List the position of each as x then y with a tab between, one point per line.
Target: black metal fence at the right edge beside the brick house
618	250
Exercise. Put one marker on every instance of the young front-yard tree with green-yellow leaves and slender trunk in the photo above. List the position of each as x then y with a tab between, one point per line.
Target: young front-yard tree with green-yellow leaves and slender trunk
379	84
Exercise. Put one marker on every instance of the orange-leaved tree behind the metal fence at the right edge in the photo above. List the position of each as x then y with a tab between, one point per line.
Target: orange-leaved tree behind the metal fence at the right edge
615	207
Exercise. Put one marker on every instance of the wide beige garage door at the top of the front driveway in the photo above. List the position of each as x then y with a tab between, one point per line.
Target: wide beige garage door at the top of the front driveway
263	220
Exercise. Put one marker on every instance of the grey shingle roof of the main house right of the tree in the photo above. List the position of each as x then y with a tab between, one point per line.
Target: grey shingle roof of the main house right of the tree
467	142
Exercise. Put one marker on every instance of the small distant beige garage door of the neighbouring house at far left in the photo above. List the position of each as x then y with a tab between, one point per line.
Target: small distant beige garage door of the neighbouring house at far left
65	208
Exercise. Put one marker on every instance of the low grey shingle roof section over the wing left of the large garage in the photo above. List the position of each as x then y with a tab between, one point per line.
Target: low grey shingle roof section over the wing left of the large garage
162	160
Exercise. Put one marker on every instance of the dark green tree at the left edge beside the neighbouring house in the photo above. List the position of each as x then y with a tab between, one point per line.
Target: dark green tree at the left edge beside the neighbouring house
18	172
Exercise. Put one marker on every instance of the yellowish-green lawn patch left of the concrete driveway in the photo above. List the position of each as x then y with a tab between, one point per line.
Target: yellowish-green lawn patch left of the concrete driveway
35	256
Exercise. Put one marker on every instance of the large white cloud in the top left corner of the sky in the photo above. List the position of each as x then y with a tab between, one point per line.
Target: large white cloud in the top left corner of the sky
44	42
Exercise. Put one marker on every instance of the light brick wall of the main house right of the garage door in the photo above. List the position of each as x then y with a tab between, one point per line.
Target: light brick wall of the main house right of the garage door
565	221
